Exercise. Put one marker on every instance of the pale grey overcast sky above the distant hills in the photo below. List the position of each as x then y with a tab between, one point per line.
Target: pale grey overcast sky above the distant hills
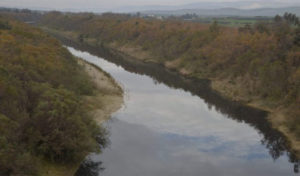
119	4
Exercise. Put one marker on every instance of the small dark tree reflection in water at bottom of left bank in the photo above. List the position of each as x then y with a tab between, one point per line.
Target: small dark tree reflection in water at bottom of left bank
89	168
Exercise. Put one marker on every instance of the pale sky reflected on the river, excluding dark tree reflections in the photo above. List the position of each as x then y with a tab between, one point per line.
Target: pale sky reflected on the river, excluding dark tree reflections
166	131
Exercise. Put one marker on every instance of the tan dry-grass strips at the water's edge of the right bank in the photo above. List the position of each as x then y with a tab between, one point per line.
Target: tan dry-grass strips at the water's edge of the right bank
232	90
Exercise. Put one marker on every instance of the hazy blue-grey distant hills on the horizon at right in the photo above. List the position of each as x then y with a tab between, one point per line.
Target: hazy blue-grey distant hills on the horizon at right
227	12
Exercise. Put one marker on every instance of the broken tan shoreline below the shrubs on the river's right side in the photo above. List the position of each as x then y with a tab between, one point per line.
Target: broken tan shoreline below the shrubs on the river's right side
276	115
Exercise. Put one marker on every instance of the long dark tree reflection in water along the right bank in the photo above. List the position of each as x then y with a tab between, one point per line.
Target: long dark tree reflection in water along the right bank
274	141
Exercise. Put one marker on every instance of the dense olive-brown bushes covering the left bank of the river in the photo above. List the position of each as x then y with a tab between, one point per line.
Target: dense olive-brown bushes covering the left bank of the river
41	111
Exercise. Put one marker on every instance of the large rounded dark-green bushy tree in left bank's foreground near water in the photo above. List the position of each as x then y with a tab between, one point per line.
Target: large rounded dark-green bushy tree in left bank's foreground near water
61	129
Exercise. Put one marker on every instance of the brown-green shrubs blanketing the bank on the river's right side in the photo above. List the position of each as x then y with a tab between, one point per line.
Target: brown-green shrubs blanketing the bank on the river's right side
258	62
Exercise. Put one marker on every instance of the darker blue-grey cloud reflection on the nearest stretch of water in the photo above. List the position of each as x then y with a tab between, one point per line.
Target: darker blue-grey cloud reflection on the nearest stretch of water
141	151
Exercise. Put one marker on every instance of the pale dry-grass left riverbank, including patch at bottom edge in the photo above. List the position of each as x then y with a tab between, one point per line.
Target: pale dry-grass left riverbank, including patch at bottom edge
107	100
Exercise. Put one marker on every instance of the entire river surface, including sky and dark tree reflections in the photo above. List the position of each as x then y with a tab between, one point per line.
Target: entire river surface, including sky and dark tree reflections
170	126
